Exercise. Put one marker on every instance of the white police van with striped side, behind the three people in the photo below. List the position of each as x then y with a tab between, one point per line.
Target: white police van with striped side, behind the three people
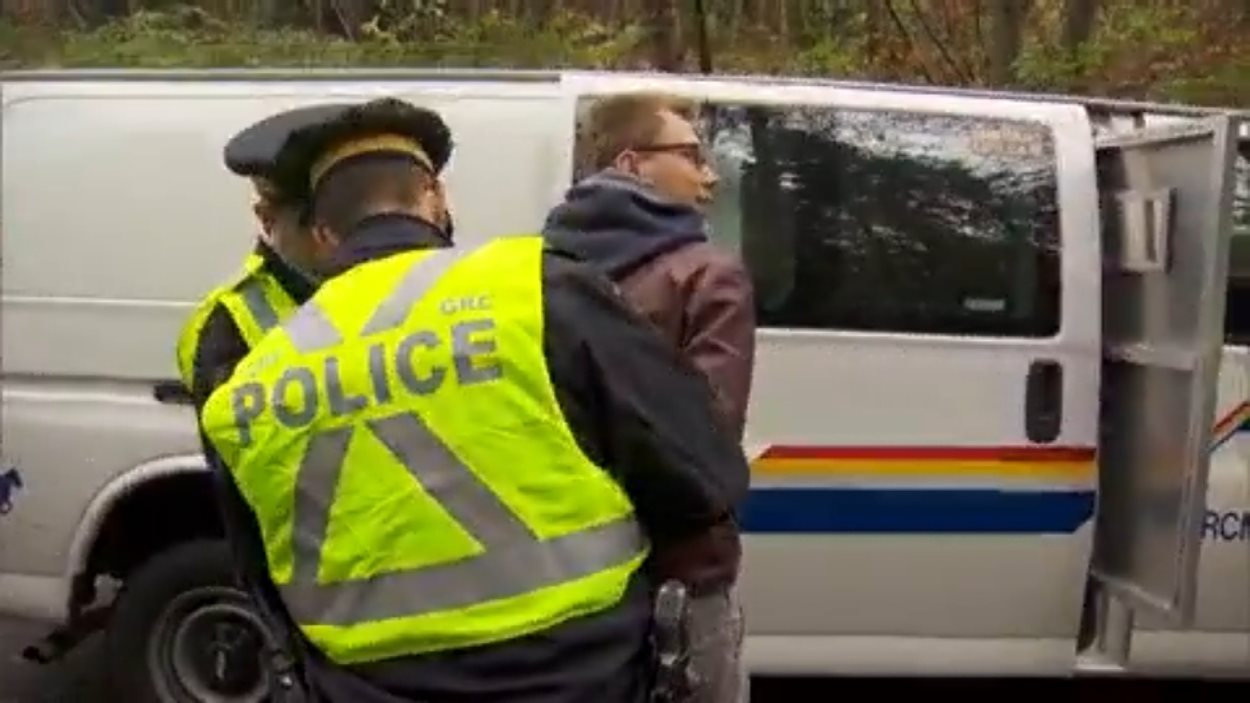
994	426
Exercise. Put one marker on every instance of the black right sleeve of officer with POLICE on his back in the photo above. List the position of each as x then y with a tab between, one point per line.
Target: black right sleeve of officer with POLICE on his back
637	408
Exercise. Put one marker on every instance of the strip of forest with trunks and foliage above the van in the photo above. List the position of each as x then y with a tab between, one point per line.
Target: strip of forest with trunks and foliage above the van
1173	51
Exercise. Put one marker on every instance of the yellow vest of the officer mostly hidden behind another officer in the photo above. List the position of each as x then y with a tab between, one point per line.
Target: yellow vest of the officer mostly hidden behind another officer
256	301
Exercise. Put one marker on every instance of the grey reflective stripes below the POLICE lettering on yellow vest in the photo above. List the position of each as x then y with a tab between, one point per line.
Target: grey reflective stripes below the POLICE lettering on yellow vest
514	561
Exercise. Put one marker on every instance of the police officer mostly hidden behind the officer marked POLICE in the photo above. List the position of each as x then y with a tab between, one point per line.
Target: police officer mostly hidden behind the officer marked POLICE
274	280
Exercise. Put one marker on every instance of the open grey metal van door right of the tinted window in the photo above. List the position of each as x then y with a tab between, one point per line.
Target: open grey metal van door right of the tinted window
1167	202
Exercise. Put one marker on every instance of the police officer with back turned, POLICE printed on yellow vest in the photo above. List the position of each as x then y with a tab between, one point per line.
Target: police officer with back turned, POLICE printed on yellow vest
458	458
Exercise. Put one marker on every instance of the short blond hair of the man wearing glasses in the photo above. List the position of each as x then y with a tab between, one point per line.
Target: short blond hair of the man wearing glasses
618	123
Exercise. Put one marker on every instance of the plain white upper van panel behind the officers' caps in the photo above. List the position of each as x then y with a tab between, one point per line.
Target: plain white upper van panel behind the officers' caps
182	231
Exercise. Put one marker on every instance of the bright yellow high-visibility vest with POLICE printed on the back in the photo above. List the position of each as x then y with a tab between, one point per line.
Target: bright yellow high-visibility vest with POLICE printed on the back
414	480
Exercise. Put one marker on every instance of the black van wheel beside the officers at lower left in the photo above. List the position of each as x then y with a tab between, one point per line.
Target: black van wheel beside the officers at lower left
183	632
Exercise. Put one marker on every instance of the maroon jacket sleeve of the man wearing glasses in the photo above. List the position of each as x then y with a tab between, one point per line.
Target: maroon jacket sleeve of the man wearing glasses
719	332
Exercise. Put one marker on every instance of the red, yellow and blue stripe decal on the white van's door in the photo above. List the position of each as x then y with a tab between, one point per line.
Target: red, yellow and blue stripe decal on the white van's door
921	490
